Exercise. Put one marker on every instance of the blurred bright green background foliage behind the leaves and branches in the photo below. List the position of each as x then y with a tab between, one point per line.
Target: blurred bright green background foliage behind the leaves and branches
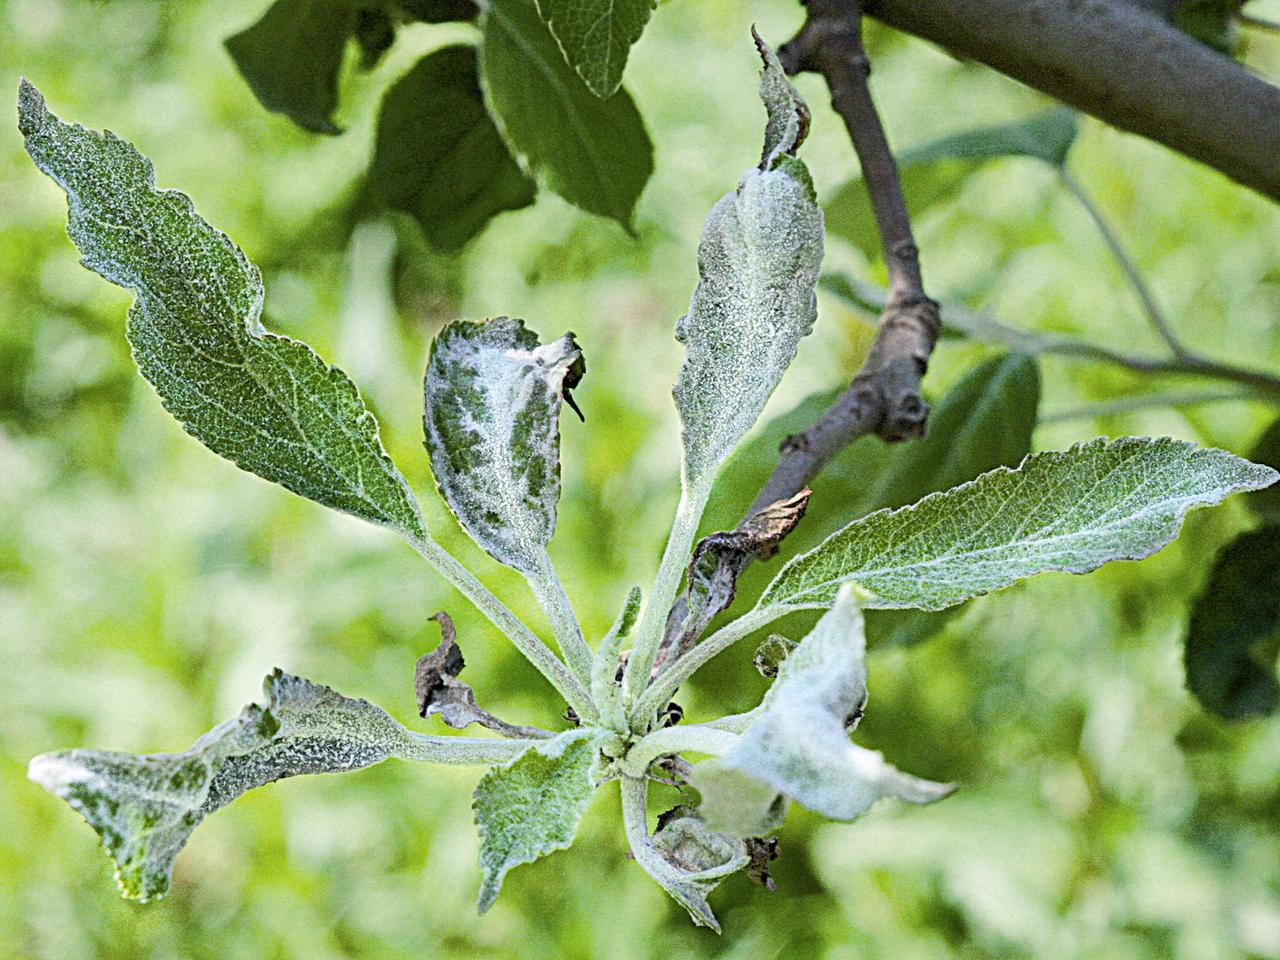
147	586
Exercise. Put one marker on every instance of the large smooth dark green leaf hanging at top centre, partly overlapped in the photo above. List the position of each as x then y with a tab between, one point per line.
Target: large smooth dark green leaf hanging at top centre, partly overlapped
593	153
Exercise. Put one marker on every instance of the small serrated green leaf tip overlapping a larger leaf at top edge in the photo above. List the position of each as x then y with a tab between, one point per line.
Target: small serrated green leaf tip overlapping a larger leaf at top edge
597	36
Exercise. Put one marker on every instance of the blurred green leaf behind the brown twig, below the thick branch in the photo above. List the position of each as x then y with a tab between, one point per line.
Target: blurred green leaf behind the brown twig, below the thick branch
935	171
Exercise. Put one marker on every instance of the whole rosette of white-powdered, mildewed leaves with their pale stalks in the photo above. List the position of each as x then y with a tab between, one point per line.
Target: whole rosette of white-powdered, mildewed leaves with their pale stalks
493	396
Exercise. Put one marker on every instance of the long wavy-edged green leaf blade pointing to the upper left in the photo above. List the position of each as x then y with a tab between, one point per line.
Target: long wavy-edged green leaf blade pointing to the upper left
266	403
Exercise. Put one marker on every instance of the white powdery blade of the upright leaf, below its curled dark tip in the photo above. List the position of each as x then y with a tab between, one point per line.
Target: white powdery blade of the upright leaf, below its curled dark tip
758	266
